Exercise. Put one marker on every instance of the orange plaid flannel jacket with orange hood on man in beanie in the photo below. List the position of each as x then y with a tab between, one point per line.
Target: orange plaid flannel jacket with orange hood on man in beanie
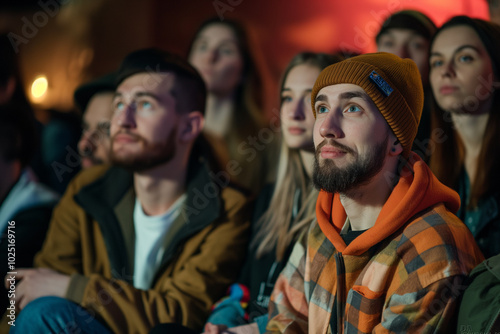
405	282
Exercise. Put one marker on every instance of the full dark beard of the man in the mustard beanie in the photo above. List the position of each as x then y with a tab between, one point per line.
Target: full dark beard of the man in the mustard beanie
333	179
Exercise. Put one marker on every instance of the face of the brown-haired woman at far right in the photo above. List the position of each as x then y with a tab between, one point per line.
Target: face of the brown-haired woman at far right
461	72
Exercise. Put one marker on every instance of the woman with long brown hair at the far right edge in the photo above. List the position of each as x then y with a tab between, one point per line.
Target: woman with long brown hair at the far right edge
464	71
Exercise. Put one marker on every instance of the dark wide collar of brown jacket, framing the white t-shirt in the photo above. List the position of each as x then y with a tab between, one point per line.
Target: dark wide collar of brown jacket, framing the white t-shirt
110	201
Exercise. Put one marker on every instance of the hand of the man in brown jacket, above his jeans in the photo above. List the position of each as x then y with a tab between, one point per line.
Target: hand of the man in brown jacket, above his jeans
35	283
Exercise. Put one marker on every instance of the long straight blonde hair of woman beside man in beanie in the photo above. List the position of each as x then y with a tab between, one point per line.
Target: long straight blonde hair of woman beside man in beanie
277	227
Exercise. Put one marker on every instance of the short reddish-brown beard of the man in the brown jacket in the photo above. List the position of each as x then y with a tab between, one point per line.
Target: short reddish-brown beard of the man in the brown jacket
153	154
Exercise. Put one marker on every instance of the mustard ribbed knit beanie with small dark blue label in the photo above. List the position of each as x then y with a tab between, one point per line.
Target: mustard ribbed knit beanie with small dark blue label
392	83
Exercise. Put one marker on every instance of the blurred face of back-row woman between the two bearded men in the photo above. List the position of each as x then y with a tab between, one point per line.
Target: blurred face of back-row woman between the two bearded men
216	55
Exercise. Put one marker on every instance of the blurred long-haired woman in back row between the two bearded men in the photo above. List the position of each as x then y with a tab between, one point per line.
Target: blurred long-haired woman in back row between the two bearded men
234	118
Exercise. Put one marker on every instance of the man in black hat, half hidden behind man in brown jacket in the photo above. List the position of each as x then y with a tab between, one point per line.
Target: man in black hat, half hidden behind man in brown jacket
94	99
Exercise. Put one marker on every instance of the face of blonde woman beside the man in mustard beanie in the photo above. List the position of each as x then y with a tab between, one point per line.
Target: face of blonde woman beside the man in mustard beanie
297	119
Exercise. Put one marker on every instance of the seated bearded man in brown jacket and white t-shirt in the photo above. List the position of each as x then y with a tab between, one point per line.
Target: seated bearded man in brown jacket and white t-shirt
156	238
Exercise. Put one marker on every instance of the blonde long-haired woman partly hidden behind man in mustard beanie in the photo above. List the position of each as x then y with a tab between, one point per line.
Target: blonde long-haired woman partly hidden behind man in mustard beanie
282	211
